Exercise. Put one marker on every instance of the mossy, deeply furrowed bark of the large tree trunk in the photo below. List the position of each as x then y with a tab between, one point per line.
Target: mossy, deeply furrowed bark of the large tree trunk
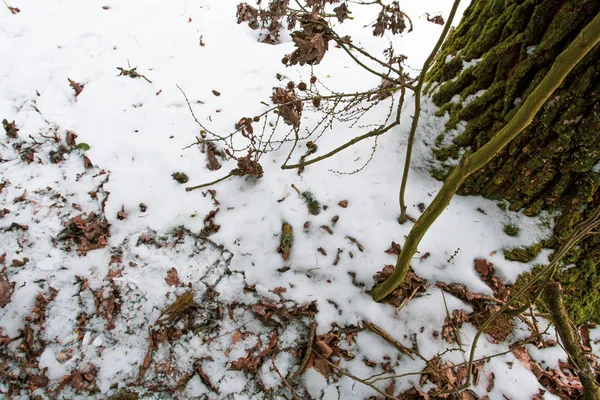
555	163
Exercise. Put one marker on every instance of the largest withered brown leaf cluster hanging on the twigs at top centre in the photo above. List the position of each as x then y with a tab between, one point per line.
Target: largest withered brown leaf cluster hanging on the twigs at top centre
312	42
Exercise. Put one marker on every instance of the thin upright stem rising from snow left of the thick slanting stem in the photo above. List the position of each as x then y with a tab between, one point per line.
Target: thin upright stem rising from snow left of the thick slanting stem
415	122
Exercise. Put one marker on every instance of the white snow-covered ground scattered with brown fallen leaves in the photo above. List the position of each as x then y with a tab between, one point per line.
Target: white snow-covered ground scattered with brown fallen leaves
120	279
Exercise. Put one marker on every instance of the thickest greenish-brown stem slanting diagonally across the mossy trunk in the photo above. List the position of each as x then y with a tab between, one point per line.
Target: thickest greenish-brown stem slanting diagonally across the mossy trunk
564	63
